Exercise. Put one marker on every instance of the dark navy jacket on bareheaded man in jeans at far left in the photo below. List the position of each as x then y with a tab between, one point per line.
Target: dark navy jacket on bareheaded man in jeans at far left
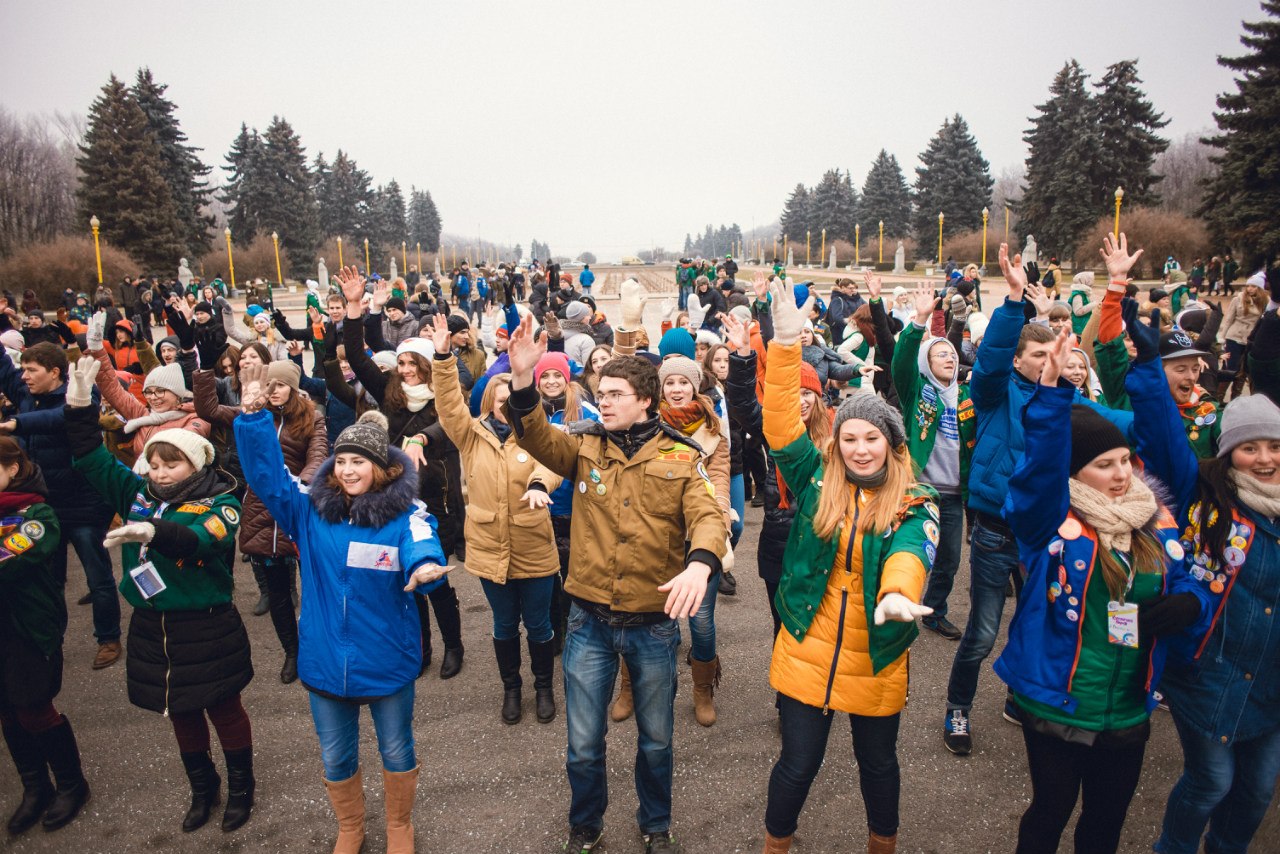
43	433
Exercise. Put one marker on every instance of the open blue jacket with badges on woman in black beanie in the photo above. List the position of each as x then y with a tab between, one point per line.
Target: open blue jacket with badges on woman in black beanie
1059	551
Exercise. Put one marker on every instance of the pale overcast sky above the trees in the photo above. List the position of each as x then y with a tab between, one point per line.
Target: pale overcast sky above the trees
606	126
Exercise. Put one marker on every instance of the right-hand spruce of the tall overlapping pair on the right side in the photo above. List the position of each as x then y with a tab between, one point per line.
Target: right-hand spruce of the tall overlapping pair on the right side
1130	144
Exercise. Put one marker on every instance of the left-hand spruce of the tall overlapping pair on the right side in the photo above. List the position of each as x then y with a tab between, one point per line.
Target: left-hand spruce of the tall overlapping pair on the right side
1058	203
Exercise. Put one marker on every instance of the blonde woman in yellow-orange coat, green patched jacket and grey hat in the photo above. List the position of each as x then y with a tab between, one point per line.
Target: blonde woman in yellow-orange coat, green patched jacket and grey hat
865	538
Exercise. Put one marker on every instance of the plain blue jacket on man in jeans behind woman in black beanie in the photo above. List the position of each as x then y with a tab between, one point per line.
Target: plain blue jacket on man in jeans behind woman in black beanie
999	395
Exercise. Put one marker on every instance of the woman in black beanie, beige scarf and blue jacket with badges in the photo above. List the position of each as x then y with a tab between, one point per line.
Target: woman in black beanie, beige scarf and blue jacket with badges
1107	579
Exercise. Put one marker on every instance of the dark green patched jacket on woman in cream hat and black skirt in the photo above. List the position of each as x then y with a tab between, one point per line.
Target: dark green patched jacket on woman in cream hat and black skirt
195	545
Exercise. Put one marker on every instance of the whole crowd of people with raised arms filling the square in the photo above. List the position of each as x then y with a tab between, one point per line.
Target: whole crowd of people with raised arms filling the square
1113	459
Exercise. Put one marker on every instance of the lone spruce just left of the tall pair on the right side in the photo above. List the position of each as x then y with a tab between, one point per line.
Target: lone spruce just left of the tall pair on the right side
954	180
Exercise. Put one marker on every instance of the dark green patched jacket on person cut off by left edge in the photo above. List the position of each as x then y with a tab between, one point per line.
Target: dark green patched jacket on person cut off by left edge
31	597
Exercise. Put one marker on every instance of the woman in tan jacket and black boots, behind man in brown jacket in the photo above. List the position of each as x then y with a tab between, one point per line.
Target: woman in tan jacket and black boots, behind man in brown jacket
509	528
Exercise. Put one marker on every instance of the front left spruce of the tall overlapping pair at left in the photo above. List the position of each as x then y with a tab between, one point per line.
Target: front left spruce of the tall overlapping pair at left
122	181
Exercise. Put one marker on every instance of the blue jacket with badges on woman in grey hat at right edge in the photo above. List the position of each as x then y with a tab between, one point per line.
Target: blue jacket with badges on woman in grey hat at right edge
1224	673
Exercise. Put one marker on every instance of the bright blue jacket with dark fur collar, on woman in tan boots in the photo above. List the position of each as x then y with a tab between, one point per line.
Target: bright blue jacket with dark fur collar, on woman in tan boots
359	632
